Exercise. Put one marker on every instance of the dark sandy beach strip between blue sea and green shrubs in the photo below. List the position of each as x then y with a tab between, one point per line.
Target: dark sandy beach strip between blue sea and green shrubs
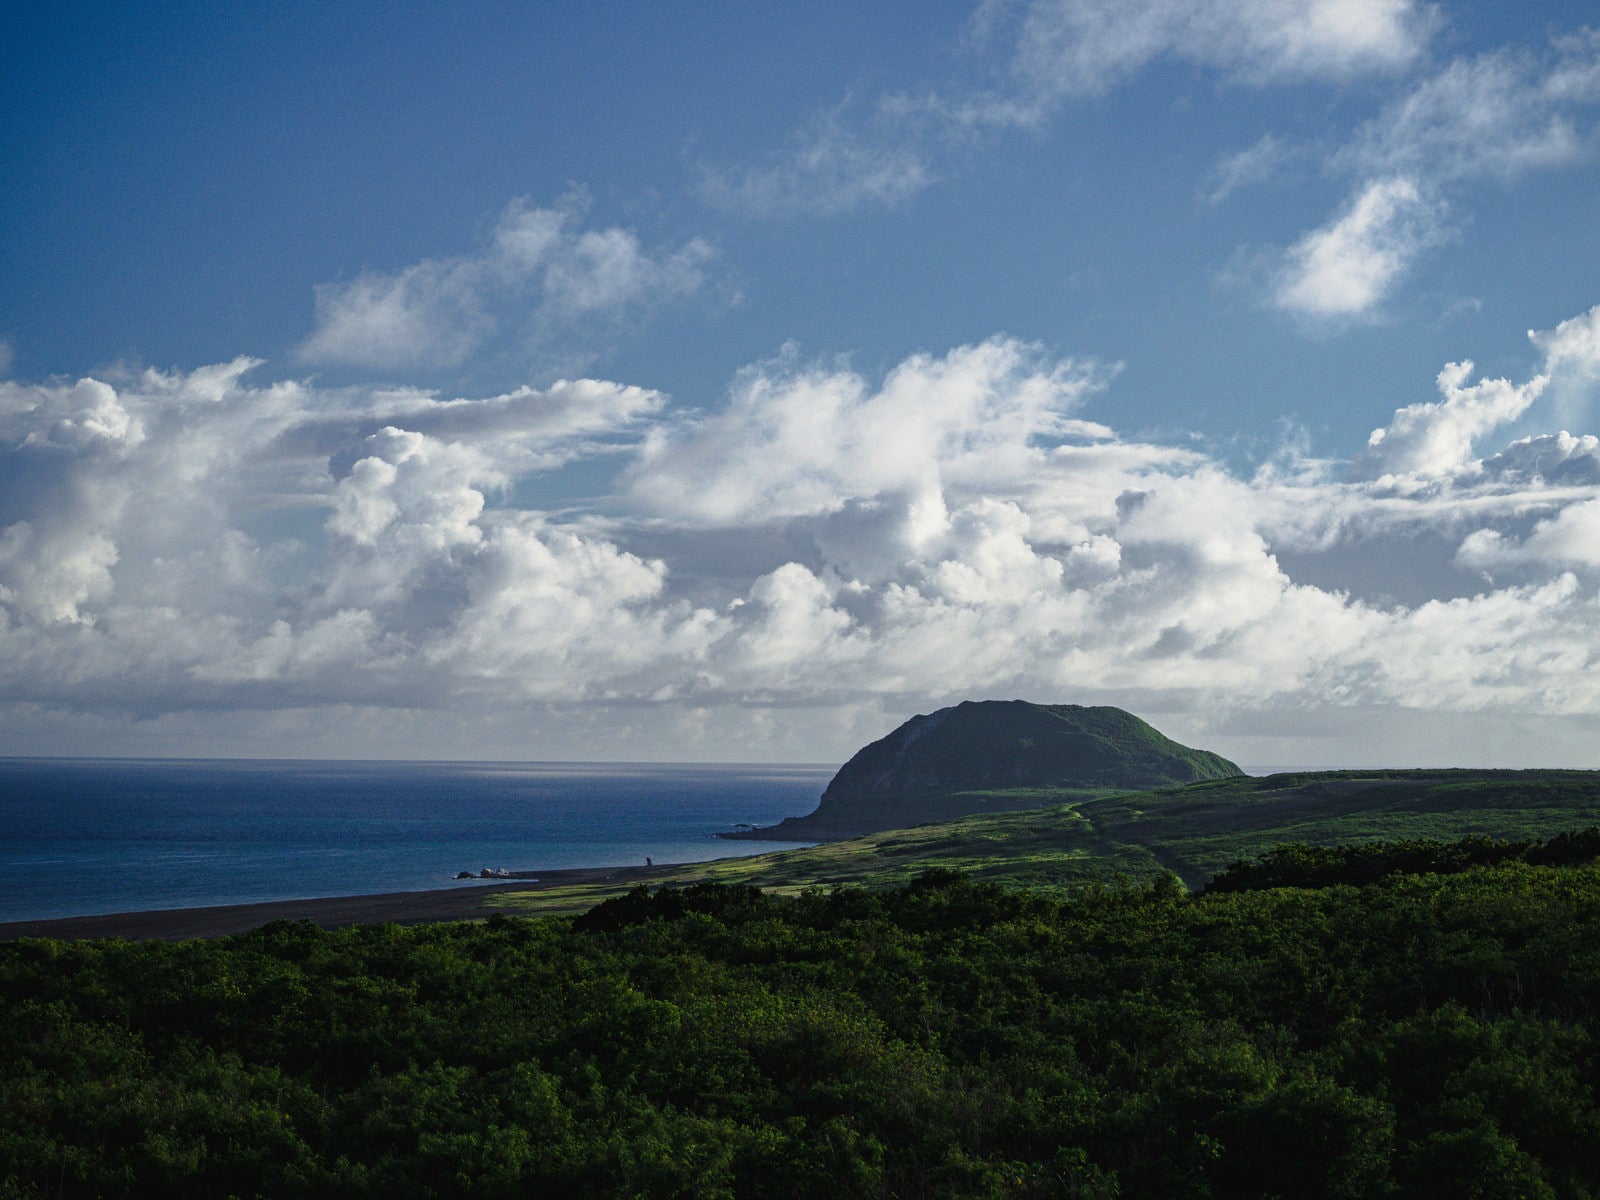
330	913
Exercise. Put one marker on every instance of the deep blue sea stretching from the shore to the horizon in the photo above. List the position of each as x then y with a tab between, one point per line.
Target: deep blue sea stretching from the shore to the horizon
98	836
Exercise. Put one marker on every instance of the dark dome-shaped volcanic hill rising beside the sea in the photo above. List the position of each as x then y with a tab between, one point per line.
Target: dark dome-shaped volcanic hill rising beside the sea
948	764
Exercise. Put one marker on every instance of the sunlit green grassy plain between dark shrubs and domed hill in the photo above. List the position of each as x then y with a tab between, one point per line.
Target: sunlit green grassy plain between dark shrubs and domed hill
1191	831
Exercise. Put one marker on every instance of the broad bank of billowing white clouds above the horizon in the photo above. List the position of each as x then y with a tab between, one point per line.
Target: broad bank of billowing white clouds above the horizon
814	553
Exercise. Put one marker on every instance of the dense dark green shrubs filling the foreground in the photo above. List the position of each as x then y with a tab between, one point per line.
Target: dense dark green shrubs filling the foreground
1425	1034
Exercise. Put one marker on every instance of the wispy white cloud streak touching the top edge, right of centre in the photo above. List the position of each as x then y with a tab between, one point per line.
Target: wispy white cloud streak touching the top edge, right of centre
1049	54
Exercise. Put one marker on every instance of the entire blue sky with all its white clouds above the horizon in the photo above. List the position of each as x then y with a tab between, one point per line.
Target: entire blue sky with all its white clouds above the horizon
734	382
